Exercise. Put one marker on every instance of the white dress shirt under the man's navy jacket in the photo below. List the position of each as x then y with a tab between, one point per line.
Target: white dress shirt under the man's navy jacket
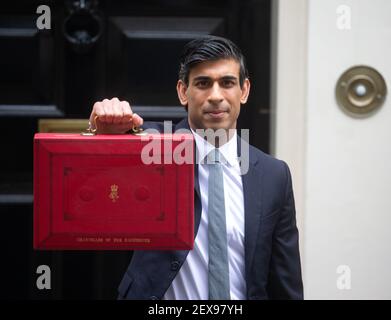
191	282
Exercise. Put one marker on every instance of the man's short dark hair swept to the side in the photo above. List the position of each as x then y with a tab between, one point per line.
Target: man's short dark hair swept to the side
209	48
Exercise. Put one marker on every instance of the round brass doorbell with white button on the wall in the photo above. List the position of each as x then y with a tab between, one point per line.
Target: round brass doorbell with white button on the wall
361	90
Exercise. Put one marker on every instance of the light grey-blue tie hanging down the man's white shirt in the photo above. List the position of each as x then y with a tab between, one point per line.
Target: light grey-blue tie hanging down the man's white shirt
217	231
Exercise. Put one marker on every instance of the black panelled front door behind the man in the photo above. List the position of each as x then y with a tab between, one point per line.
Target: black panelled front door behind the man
95	50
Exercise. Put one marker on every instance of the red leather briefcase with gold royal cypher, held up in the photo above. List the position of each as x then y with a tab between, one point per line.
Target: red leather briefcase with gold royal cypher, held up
99	193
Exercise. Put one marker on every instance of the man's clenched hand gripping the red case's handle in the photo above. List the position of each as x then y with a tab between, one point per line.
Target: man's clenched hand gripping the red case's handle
114	117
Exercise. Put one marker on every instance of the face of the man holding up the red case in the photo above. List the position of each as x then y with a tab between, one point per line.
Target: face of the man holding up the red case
214	95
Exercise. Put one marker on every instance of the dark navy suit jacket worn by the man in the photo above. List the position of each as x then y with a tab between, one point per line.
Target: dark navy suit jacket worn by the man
272	260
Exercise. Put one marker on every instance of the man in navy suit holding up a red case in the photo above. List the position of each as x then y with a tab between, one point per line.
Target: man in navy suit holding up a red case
258	256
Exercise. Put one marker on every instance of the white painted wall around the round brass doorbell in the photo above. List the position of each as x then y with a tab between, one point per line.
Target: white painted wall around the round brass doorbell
344	163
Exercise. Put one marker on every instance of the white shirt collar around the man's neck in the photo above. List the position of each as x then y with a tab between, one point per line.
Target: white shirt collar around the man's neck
229	150
